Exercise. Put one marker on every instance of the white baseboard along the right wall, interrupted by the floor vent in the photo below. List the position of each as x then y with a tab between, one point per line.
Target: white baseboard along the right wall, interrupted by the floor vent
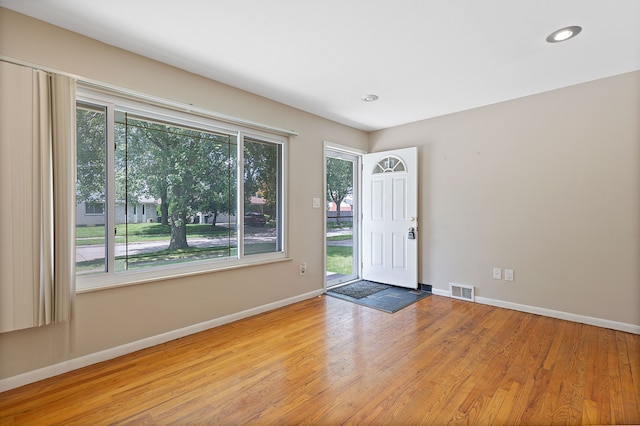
583	319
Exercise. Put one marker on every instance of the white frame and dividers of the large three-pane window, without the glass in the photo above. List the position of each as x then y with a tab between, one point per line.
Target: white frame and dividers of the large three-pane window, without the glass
200	120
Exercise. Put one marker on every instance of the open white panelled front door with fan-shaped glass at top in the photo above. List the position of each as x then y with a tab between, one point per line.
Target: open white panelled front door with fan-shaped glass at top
390	209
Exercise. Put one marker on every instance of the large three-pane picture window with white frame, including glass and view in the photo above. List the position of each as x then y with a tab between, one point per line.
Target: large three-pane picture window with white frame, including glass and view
180	193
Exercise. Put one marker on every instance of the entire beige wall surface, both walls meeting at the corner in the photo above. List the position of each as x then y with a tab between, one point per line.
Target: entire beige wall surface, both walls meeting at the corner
547	185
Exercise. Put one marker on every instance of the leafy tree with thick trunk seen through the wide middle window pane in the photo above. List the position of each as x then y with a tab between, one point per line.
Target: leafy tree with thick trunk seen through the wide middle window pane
186	169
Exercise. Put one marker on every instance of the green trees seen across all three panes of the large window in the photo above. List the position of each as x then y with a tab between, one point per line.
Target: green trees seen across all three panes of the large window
187	170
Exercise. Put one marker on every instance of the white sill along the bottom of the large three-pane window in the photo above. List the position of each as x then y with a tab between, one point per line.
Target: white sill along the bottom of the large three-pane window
87	284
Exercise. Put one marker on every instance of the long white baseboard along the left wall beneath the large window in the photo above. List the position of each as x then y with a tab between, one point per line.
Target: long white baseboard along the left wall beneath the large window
94	358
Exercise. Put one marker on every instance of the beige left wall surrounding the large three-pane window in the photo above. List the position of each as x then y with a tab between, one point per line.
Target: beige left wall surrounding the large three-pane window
109	318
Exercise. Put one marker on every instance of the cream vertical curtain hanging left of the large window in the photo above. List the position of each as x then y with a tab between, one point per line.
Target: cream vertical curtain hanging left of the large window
37	197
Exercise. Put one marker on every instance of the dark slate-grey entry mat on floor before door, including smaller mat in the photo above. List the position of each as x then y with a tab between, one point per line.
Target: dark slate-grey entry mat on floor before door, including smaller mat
380	296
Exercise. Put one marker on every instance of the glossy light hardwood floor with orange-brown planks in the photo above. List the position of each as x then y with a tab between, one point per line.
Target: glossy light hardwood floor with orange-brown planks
326	361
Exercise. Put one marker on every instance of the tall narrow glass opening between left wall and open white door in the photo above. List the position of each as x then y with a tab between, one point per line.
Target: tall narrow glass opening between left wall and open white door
342	217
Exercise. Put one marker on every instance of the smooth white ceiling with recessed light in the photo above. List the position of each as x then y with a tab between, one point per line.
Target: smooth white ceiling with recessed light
423	58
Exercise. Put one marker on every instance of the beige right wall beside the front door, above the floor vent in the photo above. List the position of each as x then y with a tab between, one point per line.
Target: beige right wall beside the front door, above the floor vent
547	185
